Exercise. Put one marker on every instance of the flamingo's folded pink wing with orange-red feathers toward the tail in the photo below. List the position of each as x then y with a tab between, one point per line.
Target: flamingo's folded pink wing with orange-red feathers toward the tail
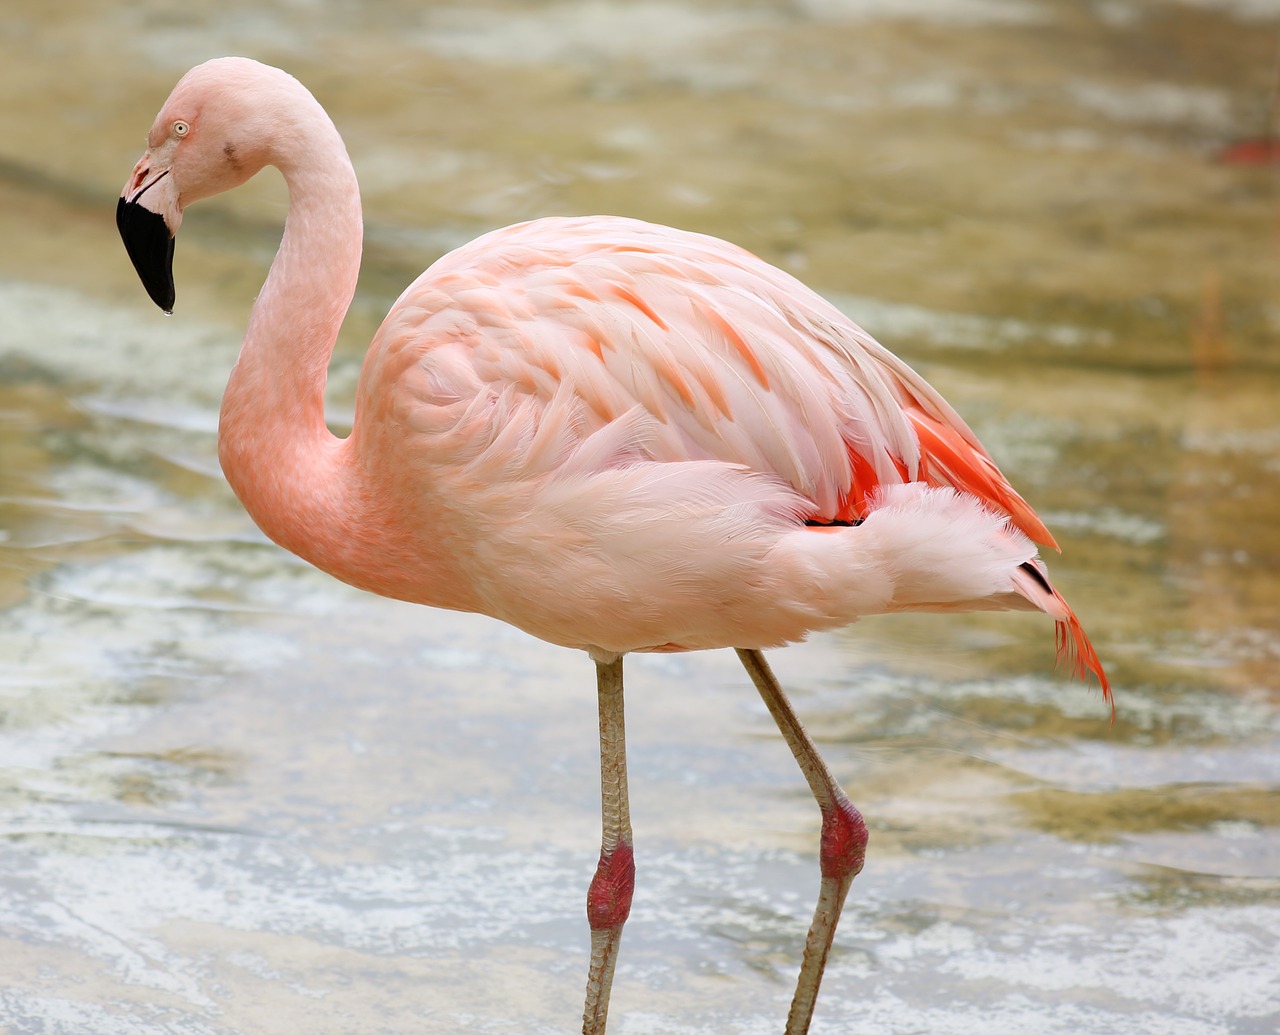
734	360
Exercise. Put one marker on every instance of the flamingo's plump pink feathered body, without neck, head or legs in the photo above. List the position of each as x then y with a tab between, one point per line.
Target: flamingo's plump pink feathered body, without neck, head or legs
651	416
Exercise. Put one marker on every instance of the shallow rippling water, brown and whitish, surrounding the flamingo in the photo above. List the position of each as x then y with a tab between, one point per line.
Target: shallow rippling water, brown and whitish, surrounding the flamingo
239	798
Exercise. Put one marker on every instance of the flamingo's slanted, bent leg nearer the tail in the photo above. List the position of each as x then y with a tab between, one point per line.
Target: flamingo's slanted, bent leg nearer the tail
844	840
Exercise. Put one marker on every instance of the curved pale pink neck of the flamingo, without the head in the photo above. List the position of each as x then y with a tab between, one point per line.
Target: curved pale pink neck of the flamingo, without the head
277	452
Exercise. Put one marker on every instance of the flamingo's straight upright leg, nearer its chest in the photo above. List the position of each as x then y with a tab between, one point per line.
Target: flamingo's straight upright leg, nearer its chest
609	901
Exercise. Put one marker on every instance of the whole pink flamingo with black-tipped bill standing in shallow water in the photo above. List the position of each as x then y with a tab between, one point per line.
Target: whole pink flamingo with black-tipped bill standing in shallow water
615	436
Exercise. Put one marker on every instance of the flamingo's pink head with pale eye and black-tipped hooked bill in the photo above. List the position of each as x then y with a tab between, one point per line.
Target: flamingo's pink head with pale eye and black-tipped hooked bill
220	127
